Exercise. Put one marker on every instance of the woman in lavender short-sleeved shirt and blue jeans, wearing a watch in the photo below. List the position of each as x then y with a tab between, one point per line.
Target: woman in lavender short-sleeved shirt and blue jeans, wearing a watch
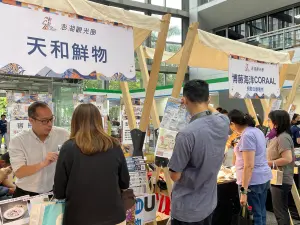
253	172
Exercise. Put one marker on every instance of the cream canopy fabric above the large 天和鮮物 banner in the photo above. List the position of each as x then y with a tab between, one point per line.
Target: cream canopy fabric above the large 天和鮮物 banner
142	24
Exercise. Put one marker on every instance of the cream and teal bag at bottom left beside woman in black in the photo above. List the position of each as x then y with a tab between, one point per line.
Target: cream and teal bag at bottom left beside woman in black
47	213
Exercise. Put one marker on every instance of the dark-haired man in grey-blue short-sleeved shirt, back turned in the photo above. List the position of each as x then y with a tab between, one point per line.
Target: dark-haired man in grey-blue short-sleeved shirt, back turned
197	158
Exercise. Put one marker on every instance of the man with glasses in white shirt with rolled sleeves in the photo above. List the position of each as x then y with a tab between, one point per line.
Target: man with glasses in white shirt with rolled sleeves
34	153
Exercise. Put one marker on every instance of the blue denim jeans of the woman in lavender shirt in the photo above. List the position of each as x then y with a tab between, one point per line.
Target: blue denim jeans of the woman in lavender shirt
257	198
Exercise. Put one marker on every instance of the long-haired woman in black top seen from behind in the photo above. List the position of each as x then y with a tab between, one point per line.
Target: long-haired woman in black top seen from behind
91	171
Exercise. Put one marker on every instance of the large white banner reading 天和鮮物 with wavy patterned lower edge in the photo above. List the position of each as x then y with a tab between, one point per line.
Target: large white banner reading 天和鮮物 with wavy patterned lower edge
64	45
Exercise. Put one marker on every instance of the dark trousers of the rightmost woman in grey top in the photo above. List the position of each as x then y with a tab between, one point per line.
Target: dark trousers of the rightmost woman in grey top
280	196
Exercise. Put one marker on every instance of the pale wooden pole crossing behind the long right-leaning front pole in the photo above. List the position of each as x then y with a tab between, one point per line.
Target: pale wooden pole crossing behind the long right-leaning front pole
145	76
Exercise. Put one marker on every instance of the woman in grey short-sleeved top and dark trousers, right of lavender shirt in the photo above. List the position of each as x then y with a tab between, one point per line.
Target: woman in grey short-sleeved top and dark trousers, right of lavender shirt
281	155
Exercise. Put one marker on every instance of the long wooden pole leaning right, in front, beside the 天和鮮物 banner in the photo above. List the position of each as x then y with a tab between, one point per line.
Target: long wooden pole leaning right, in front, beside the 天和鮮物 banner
159	51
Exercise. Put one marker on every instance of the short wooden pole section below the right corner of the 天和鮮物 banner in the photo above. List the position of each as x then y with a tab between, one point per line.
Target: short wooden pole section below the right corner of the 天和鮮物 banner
128	105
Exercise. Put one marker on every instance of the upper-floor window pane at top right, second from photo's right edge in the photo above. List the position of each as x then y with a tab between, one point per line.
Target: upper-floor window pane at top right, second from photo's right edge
281	20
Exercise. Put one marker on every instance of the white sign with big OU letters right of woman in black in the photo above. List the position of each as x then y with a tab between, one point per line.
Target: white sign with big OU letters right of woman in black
145	209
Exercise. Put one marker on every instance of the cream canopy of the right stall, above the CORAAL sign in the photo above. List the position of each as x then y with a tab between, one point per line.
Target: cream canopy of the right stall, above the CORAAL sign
212	51
